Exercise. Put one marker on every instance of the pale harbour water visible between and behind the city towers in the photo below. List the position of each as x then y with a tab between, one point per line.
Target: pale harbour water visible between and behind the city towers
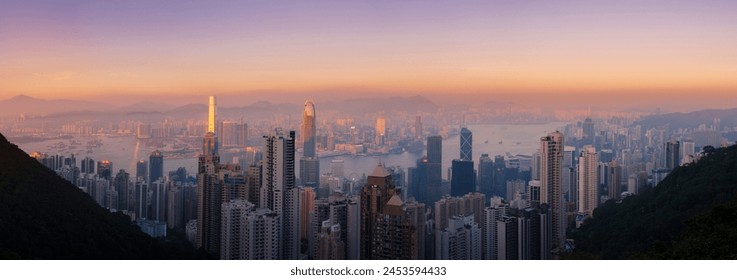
492	139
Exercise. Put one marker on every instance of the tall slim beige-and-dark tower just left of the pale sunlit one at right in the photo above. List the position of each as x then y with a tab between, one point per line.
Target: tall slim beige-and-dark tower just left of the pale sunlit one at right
551	159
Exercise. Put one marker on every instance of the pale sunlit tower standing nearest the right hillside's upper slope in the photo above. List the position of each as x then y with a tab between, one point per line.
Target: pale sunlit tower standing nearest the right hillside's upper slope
588	181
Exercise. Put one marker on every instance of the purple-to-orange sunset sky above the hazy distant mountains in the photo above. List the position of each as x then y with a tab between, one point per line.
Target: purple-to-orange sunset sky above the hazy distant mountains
81	49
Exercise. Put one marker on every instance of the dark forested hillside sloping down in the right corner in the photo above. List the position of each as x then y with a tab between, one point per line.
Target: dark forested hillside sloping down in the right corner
670	220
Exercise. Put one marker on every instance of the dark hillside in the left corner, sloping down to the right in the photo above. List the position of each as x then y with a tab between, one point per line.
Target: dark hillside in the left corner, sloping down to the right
43	216
